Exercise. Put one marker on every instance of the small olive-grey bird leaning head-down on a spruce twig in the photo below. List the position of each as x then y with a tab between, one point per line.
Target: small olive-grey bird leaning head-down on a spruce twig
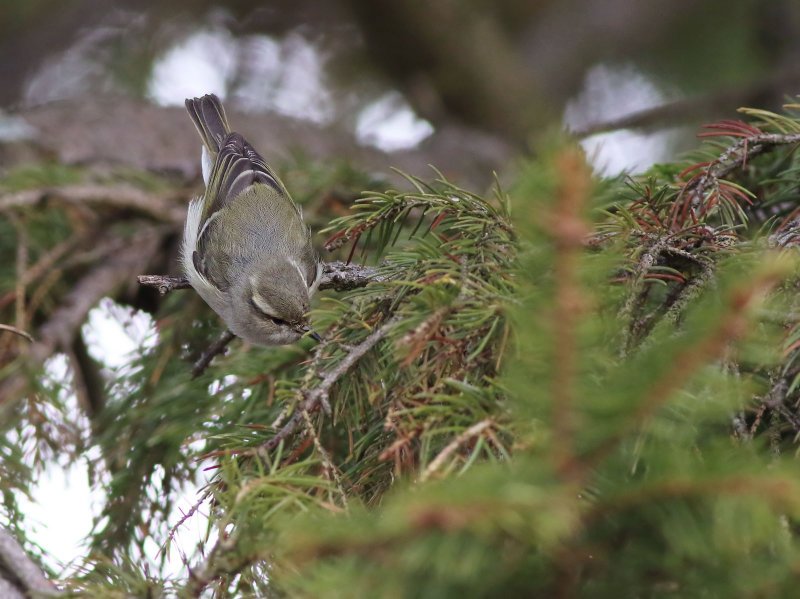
246	249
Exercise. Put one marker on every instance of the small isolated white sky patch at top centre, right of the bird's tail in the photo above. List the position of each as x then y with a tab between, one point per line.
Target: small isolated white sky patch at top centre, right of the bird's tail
389	124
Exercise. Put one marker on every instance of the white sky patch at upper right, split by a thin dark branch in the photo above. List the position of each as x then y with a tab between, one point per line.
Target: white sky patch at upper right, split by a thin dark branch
612	92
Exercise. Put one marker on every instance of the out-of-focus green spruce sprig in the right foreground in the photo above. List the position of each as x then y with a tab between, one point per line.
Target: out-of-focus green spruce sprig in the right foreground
624	481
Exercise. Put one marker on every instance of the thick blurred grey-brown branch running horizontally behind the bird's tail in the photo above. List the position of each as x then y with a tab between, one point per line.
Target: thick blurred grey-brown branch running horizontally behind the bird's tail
79	130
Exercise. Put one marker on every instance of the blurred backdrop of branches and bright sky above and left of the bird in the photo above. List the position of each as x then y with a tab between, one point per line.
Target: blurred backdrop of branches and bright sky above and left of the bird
335	93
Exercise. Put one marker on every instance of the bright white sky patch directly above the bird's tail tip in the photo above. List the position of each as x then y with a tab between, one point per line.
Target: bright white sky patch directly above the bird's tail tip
203	63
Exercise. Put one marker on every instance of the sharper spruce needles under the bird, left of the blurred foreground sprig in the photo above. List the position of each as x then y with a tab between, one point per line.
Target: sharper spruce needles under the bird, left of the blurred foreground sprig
405	409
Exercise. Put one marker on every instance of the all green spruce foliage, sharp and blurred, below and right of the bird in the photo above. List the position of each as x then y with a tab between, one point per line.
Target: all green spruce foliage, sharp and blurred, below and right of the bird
595	397
